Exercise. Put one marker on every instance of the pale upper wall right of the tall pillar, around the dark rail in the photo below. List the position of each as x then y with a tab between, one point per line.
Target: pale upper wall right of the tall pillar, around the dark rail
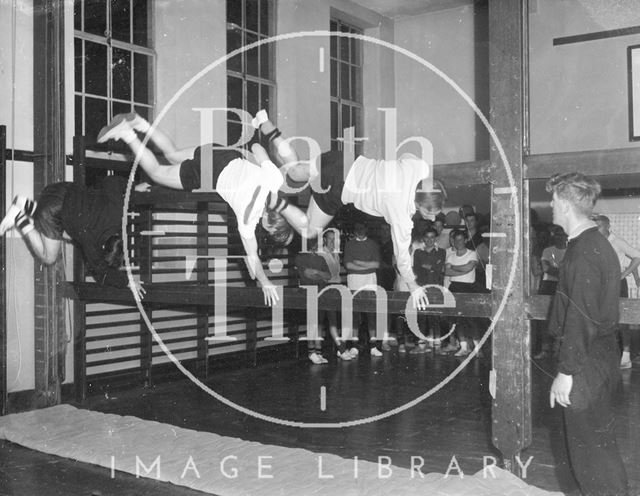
579	95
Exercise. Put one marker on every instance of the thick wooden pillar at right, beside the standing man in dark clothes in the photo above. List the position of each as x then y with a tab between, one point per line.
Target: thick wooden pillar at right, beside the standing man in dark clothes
511	411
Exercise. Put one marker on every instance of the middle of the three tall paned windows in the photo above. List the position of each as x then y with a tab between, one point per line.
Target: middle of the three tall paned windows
250	75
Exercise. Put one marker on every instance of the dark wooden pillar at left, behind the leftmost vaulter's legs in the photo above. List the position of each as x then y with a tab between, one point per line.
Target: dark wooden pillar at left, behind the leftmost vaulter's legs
49	165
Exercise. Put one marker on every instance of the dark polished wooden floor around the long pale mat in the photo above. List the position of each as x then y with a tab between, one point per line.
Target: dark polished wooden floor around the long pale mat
455	421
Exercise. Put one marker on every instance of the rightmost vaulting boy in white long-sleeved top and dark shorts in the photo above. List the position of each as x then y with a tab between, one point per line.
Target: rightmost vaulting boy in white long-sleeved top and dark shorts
393	190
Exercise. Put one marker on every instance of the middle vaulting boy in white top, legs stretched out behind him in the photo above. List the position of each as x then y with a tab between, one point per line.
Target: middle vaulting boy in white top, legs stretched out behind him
251	190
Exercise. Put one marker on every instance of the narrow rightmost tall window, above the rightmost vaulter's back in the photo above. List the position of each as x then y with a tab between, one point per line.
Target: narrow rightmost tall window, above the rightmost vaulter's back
346	84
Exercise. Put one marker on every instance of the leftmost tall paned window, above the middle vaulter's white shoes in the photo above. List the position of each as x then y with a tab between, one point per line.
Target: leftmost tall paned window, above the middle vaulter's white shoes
113	61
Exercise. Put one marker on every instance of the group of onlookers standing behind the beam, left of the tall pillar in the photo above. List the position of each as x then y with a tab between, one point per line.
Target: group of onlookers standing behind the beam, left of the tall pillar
447	250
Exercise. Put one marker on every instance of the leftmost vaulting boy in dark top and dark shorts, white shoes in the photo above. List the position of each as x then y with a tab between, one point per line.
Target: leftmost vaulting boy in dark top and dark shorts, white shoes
92	217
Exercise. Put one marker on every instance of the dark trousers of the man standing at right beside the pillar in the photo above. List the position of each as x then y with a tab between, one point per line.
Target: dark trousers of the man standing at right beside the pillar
593	451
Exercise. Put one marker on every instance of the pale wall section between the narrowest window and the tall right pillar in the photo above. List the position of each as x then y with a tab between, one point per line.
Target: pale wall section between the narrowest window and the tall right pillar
427	105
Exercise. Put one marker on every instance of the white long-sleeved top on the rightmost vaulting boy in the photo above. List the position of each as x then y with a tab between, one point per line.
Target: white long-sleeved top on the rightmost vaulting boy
387	188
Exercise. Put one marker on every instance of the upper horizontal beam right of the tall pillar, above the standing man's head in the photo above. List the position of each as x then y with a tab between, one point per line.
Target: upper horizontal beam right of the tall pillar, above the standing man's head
592	162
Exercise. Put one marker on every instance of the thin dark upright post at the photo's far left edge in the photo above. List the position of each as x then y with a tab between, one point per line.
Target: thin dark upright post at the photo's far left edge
3	274
